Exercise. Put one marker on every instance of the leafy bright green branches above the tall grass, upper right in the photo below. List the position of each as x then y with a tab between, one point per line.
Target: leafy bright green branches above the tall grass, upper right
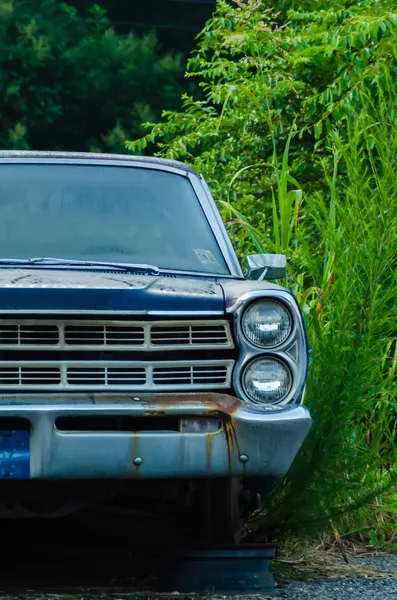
260	71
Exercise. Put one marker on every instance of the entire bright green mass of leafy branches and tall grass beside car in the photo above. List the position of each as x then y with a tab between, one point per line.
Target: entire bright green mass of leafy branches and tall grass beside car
297	137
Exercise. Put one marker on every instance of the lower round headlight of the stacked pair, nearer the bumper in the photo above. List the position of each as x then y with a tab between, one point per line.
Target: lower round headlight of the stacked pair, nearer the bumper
267	380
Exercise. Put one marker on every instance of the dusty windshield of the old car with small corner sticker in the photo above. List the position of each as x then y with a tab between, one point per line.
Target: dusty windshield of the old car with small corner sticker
97	213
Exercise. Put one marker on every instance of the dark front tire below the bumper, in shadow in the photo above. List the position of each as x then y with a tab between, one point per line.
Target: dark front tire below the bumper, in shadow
220	511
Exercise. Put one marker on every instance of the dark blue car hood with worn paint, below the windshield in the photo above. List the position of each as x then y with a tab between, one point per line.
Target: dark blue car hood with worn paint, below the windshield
58	290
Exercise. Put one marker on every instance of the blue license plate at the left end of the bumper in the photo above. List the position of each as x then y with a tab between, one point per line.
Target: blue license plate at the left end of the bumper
14	455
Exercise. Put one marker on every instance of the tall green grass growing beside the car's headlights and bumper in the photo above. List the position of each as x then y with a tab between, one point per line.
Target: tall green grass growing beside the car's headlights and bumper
342	249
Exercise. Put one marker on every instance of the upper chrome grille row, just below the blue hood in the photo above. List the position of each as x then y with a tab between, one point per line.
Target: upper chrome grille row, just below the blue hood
130	335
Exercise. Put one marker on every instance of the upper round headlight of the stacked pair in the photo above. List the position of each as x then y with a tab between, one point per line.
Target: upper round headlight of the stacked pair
267	323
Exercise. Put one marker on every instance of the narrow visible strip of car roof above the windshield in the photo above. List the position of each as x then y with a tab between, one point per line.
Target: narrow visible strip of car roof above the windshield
84	157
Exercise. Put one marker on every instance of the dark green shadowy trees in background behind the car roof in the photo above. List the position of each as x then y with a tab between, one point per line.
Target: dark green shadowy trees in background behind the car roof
70	82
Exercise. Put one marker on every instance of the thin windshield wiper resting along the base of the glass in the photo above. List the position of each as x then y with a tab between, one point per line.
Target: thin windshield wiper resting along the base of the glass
43	260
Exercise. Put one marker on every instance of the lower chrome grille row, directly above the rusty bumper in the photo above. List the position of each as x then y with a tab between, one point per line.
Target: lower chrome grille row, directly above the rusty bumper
117	375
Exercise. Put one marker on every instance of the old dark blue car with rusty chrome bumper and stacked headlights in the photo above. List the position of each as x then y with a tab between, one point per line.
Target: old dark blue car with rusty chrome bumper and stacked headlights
139	367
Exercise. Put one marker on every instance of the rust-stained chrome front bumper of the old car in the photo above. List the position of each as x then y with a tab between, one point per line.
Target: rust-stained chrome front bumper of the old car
249	443
